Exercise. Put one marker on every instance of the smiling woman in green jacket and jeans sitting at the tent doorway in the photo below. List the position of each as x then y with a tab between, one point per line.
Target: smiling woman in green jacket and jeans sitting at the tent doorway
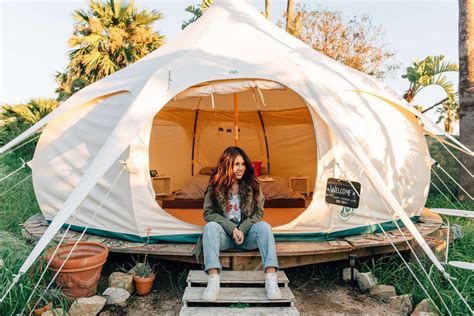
233	210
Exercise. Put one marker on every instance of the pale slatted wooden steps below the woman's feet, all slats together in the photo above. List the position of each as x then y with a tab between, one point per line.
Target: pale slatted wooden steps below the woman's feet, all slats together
242	293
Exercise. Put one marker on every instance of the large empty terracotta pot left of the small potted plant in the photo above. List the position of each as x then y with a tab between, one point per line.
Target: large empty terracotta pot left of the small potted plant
81	272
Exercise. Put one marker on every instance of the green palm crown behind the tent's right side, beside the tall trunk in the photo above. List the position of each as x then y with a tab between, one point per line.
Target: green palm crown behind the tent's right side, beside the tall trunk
432	71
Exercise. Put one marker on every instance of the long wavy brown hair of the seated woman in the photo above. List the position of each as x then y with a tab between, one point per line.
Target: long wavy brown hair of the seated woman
223	177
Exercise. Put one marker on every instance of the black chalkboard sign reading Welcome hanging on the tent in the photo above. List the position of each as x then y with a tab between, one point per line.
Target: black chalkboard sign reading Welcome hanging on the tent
342	193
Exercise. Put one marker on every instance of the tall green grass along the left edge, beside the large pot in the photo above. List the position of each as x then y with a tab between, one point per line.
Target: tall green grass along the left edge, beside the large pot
16	206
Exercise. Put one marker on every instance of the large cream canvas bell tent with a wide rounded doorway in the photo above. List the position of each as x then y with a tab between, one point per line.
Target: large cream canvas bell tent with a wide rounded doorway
111	124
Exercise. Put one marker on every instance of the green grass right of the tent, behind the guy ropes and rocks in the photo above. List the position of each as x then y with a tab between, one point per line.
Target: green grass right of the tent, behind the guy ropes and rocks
391	270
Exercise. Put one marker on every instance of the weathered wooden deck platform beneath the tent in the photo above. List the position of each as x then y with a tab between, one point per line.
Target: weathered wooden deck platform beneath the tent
290	254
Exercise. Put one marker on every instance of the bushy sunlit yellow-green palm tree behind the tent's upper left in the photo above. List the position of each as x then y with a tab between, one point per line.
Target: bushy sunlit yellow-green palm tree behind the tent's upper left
110	35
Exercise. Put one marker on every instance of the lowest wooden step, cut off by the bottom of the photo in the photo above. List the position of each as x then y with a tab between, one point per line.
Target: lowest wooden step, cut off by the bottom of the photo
231	311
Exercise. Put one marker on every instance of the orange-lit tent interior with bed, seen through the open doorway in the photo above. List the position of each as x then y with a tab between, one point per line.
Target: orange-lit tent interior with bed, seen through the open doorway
275	128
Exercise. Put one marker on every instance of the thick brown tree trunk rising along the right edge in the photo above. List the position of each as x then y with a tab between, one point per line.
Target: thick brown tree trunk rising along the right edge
466	90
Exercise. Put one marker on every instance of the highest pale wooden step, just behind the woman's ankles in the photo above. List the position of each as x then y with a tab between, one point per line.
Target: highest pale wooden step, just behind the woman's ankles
236	277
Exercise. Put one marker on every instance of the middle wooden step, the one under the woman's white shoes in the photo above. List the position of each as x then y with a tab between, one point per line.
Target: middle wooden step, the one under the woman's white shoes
250	295
